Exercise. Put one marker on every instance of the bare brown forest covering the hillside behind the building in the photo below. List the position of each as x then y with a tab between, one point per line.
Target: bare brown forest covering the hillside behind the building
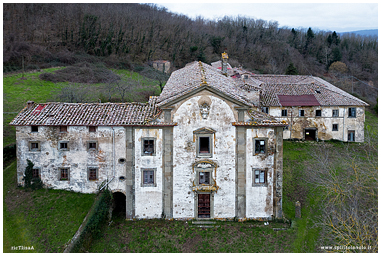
43	35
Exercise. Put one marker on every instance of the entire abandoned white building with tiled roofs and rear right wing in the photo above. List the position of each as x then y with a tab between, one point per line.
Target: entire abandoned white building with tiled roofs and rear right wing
205	148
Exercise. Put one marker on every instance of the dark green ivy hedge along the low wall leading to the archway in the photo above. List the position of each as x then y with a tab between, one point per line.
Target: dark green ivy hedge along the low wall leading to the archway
96	223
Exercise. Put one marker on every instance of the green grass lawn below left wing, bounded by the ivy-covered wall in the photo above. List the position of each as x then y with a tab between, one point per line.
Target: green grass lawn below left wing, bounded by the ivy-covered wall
44	219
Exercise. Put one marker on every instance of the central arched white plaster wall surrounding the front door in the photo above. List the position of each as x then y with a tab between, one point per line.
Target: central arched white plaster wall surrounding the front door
220	118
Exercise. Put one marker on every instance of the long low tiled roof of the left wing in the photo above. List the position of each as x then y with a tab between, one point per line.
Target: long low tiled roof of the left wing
90	114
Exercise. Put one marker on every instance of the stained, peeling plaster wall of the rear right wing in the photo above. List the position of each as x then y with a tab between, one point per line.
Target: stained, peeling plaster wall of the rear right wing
323	124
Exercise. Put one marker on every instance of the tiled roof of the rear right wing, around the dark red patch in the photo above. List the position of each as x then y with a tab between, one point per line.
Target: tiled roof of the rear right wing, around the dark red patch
325	93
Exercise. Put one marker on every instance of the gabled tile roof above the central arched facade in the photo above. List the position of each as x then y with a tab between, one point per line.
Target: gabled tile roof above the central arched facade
198	74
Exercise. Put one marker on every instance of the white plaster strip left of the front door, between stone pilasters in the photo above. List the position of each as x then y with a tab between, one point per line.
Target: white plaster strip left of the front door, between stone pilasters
148	200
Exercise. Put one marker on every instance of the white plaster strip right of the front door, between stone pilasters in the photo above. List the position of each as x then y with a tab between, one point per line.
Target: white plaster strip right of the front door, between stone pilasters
259	198
